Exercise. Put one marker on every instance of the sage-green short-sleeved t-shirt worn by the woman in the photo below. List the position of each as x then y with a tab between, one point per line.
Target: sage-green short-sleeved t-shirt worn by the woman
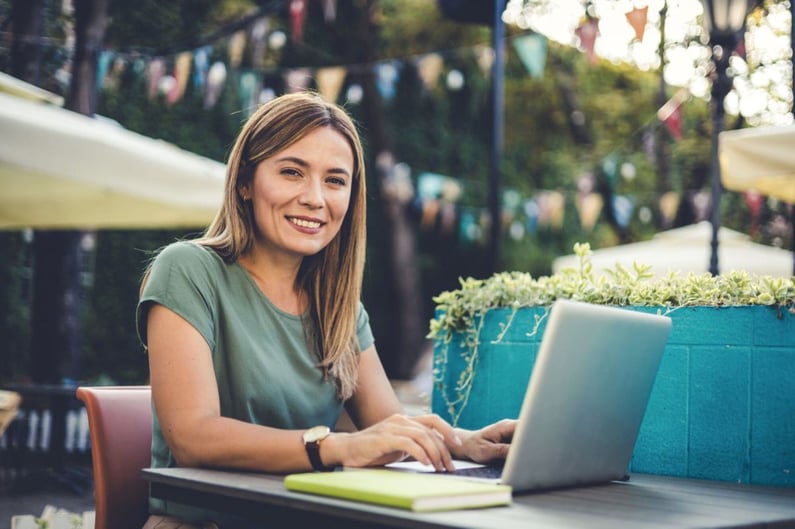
266	374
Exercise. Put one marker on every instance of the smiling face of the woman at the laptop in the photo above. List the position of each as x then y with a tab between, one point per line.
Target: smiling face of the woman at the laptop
300	195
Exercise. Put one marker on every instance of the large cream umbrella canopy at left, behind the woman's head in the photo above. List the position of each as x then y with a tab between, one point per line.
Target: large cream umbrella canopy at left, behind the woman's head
62	170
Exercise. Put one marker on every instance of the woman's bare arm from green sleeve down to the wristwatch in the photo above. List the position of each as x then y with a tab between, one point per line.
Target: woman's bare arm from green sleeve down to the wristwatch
185	395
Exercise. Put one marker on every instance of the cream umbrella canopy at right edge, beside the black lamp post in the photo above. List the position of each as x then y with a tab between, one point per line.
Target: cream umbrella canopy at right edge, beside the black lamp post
759	159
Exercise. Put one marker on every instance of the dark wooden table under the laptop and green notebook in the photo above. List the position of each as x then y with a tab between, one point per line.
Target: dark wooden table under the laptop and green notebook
645	501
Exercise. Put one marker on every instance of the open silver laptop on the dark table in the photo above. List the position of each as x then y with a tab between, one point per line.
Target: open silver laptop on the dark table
585	399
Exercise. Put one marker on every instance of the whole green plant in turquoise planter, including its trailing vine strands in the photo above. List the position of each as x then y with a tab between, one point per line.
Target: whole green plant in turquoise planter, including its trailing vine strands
460	314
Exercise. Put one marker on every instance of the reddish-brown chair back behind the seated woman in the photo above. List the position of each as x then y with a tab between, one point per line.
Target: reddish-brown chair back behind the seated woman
120	429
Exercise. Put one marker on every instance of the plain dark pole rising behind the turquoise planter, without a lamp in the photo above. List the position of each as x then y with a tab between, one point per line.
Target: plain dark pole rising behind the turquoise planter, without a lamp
498	73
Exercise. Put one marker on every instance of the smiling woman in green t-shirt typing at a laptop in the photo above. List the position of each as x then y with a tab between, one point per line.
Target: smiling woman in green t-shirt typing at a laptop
255	332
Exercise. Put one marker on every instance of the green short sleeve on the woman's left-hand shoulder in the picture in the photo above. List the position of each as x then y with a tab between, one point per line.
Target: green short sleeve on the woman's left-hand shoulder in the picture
180	279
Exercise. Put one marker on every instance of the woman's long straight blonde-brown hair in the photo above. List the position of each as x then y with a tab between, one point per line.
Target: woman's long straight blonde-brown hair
331	278
